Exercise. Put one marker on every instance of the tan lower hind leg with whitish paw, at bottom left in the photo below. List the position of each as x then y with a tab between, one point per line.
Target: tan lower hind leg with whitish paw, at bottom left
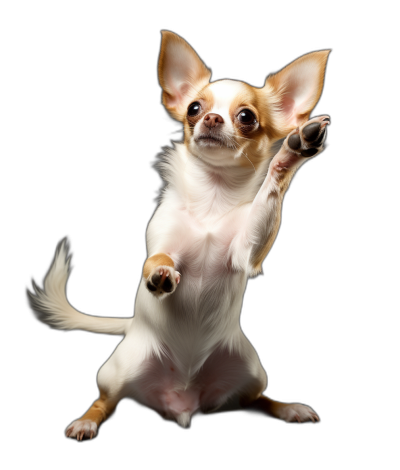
87	426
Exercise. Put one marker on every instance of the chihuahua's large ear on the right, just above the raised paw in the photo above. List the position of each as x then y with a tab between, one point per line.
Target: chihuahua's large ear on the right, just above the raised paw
297	88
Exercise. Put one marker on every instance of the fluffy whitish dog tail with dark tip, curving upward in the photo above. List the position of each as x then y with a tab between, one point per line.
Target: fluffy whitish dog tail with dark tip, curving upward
51	306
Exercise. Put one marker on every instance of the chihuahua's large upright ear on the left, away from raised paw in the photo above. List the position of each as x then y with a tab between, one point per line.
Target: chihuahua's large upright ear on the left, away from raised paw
181	74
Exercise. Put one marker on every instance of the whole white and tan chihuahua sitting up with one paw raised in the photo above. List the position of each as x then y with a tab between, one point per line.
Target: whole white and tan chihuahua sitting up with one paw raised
217	218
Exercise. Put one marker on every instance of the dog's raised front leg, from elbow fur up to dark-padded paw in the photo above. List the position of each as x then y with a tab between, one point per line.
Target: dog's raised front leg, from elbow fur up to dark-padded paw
265	214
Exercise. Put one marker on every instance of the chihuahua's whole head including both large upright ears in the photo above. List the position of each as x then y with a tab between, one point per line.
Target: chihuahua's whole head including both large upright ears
230	123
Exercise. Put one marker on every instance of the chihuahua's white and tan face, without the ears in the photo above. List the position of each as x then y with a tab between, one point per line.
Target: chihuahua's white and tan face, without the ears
225	122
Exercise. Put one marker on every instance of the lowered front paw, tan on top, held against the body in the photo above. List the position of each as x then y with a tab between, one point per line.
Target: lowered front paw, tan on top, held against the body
160	276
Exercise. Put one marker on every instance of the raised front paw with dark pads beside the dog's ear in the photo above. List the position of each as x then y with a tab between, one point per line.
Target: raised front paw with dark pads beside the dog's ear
307	140
